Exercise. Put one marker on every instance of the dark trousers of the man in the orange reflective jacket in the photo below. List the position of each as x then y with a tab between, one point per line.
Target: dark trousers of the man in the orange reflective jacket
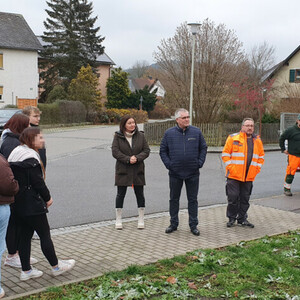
238	195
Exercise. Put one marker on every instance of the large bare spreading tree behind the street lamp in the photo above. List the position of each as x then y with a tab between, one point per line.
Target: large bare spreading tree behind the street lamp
219	61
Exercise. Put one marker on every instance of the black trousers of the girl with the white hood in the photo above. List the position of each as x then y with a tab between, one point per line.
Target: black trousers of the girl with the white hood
39	224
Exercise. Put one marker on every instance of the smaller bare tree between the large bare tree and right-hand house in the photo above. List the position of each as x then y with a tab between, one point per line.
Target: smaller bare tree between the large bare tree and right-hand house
261	59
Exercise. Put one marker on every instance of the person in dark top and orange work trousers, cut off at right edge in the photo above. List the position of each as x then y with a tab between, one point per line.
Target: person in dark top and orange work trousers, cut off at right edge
292	135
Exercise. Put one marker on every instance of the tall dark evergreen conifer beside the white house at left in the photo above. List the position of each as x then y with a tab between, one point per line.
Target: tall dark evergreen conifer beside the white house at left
71	41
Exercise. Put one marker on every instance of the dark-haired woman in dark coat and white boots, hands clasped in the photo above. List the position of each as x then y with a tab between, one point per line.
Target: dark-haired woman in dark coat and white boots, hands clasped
130	148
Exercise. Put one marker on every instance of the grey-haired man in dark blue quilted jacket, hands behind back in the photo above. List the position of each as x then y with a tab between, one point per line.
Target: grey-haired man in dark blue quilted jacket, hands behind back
183	151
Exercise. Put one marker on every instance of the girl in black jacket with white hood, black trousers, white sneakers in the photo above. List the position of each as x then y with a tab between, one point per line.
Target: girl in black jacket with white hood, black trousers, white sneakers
32	203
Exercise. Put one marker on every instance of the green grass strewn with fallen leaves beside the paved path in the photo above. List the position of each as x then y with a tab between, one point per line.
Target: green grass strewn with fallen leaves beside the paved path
268	268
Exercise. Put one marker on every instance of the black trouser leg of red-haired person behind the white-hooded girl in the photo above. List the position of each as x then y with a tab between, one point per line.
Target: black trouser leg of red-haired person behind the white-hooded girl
12	233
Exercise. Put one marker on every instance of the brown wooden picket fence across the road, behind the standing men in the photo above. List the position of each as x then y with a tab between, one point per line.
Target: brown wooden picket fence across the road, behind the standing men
215	134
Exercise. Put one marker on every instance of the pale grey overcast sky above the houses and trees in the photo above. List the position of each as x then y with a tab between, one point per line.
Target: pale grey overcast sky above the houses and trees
134	28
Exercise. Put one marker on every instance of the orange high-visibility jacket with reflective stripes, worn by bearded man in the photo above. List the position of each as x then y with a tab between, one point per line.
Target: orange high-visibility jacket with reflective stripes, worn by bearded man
235	153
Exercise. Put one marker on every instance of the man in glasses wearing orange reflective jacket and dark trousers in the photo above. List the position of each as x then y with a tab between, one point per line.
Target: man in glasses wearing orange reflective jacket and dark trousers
243	155
